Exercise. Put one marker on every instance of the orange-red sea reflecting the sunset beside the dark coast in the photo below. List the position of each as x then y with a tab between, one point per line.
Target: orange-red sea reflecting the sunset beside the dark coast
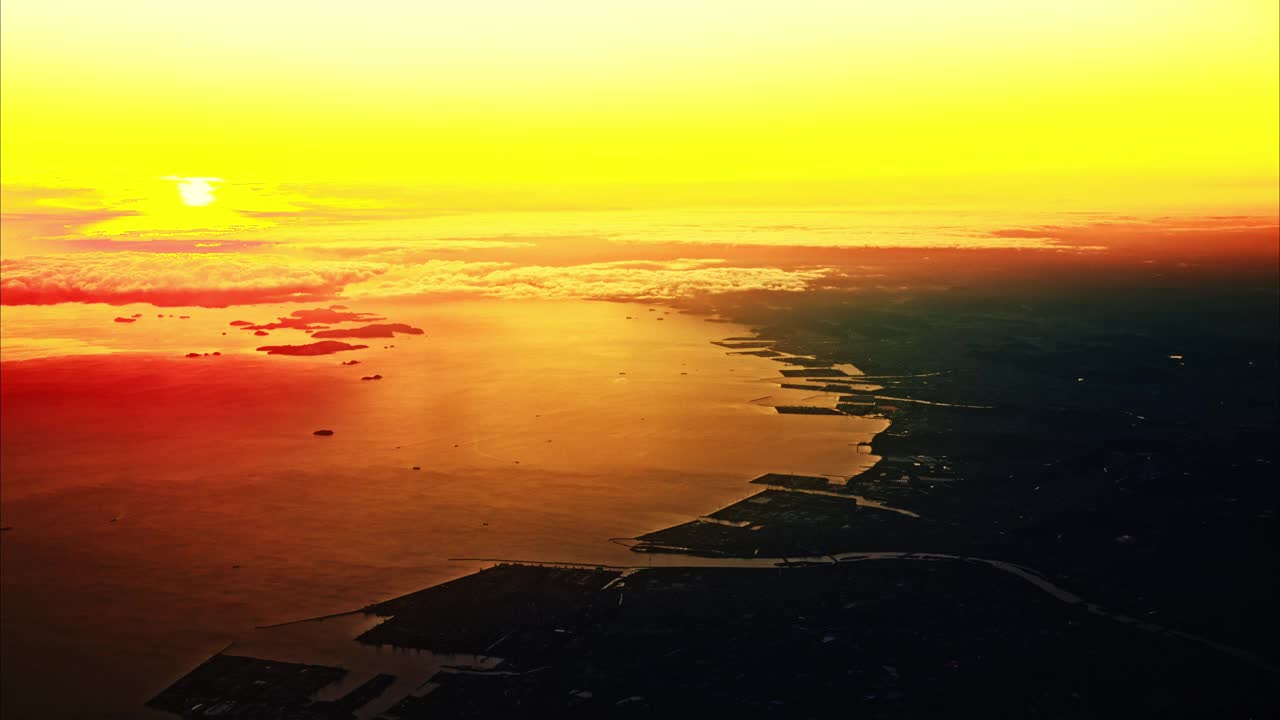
163	507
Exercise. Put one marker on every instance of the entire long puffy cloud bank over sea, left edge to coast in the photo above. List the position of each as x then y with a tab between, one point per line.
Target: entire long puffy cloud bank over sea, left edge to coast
223	280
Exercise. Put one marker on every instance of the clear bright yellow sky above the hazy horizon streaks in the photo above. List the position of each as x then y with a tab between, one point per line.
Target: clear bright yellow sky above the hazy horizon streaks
445	107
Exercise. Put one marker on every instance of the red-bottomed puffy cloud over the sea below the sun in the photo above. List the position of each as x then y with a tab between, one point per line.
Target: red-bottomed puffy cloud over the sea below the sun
175	280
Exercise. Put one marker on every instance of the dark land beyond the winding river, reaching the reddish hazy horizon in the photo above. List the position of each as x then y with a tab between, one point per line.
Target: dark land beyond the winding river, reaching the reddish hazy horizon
1136	404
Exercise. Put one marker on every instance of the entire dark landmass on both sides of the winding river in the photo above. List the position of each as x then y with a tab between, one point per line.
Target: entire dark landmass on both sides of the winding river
1084	528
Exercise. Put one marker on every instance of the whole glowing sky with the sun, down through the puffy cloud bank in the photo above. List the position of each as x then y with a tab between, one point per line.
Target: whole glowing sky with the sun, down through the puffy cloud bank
286	145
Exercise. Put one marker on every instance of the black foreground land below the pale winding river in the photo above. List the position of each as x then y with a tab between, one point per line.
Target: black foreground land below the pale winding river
925	639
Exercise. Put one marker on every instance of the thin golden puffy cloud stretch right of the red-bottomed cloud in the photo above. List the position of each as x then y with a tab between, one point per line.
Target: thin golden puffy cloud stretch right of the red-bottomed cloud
644	280
